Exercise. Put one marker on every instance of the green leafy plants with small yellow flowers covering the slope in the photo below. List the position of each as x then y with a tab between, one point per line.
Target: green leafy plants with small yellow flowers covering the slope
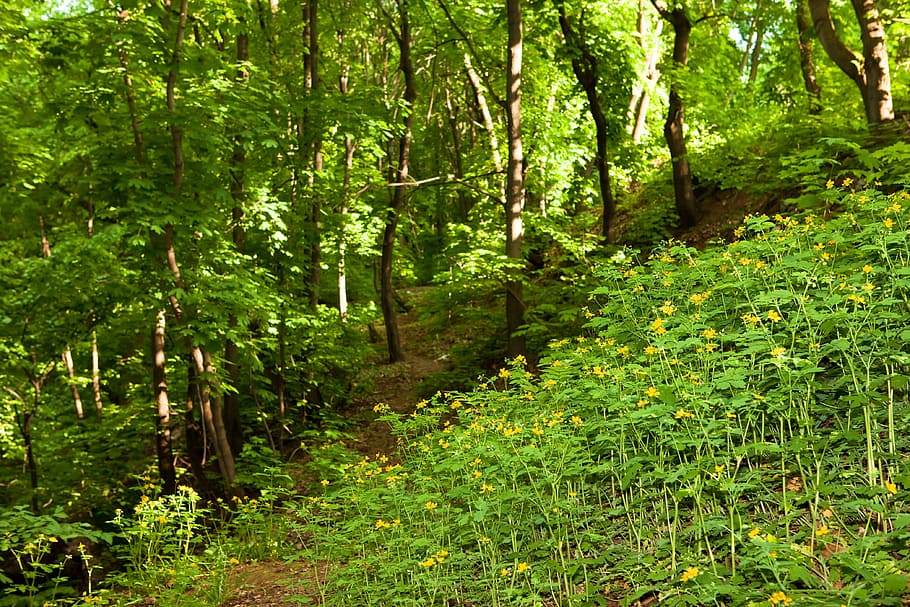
727	431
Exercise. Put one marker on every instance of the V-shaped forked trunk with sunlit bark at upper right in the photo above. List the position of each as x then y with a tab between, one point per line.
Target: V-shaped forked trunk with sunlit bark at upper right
868	71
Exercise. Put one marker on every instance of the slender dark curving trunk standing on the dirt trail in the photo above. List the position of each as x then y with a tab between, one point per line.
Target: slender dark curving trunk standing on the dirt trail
396	205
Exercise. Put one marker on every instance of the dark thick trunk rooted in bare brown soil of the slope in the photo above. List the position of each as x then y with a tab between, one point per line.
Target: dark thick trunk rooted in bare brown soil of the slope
674	127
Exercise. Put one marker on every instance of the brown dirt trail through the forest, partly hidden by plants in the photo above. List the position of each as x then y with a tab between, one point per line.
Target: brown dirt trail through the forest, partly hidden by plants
278	584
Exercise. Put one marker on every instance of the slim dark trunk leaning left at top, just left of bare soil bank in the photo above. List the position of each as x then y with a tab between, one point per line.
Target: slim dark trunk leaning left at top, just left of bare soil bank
584	64
